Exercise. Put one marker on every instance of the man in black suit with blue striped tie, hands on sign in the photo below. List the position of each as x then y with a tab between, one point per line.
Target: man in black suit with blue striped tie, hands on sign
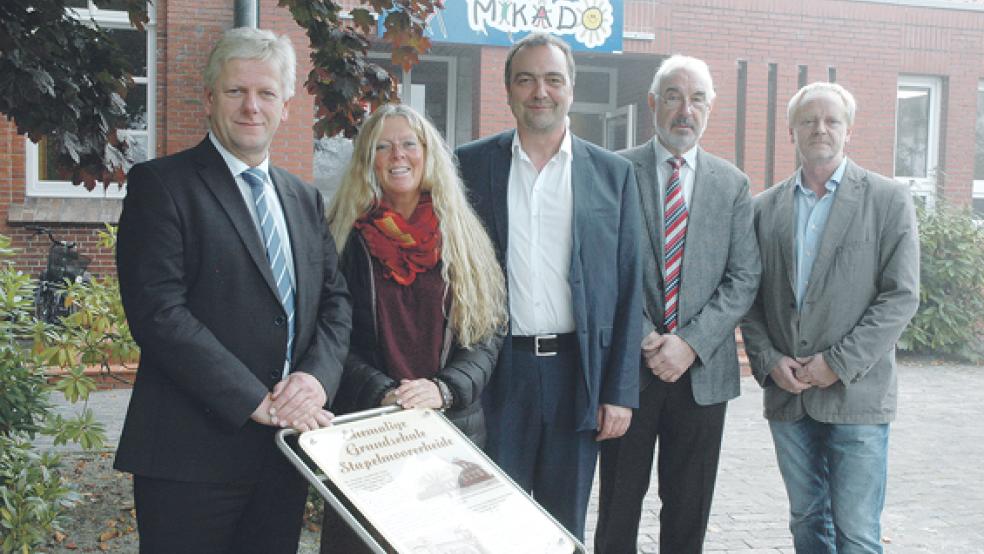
229	280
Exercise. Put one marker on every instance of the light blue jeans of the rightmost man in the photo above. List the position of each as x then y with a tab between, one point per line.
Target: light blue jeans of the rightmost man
835	478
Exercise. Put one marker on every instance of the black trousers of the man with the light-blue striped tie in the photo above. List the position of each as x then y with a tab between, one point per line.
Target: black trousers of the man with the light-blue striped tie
262	515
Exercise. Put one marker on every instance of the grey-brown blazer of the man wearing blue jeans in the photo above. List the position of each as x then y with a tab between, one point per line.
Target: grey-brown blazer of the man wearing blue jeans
863	290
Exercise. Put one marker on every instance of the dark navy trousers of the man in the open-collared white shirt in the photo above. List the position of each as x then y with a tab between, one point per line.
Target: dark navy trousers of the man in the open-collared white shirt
533	437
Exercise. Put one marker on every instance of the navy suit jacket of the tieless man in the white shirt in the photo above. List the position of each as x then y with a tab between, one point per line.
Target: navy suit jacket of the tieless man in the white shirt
605	275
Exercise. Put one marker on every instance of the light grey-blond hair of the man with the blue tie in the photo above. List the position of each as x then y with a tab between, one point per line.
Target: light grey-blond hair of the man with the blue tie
245	43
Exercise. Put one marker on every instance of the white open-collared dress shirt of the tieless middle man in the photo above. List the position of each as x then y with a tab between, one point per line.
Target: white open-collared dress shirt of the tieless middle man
541	212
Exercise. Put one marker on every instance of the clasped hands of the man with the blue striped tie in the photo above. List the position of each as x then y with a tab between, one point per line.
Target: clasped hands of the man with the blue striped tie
298	402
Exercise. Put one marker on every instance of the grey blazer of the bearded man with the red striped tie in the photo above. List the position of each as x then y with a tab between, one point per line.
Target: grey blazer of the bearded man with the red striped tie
720	272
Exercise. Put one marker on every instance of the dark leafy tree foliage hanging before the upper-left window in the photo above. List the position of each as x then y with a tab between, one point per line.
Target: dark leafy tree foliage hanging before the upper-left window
64	80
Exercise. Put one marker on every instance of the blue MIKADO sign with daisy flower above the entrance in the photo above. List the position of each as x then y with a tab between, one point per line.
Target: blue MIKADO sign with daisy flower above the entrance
587	25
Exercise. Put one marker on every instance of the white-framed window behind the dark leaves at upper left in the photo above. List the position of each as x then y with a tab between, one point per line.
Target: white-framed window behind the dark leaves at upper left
42	180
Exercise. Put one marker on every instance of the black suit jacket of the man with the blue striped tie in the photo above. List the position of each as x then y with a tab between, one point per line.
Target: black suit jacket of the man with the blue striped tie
201	303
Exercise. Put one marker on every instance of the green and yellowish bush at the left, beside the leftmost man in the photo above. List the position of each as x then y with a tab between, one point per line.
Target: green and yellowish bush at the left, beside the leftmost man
33	496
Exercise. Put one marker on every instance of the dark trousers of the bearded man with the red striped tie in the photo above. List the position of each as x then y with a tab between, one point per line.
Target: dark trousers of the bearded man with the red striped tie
689	439
